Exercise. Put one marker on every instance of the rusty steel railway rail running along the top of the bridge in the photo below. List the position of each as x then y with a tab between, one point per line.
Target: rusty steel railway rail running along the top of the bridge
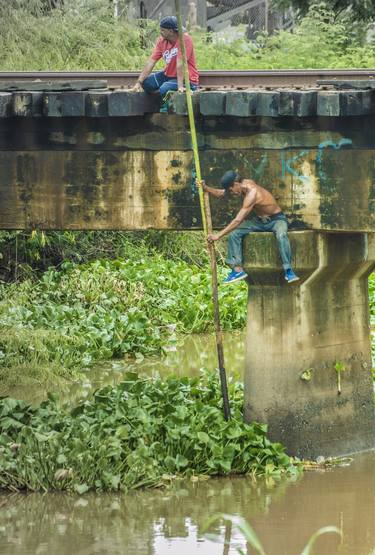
213	78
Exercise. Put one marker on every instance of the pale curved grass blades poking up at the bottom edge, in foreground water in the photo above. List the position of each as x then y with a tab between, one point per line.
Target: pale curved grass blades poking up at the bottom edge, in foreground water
252	539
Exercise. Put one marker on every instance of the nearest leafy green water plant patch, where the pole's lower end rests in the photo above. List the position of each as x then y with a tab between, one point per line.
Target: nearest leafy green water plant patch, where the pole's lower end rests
141	433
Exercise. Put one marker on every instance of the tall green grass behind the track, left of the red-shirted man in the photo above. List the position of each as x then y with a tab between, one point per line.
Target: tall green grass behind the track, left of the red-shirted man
82	35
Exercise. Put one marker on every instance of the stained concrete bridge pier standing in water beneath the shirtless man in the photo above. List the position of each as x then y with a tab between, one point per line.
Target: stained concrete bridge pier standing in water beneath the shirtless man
300	337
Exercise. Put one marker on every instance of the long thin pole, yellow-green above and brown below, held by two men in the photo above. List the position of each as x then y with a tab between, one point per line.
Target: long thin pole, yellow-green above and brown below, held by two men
206	220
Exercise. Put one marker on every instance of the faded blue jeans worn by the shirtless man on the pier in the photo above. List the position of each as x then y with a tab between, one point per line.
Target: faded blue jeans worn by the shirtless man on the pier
277	223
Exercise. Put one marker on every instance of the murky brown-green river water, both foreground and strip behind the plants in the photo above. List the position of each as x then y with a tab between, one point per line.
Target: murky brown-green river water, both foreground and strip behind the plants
284	513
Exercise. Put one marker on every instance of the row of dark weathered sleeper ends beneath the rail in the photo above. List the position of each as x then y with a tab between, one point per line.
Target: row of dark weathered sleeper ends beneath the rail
268	103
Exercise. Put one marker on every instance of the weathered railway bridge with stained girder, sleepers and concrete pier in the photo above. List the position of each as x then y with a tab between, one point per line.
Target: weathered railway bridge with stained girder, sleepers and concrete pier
103	158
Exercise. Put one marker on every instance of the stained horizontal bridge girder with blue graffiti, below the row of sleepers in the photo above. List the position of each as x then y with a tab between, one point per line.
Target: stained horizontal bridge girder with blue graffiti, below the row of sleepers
135	172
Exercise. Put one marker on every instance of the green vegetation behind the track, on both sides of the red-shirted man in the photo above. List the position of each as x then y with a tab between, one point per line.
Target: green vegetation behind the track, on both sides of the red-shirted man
86	36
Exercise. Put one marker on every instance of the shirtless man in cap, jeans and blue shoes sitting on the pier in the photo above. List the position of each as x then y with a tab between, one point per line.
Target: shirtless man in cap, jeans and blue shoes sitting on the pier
268	217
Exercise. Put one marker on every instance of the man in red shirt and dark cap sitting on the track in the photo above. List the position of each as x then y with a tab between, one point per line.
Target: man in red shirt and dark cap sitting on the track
171	78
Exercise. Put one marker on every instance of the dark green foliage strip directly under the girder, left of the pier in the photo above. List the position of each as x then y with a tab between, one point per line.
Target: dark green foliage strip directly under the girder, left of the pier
27	255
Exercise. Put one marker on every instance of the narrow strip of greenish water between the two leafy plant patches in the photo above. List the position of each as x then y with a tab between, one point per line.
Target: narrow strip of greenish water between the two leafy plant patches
184	358
